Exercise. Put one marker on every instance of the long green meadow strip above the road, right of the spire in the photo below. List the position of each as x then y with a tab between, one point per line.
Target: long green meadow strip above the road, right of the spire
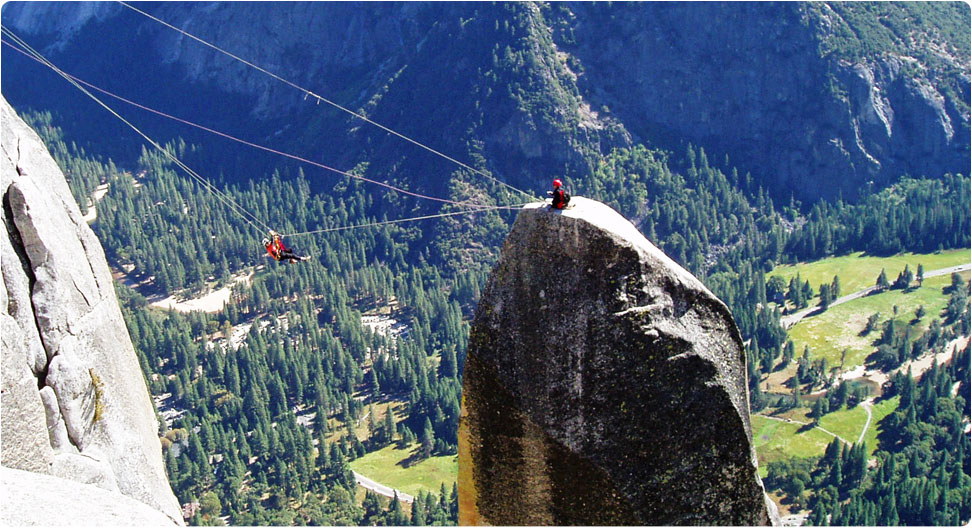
858	271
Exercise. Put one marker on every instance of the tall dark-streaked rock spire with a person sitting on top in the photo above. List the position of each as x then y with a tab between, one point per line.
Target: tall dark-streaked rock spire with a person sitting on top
604	385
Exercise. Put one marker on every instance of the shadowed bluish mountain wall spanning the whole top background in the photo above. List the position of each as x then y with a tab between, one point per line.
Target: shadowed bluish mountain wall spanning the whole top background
527	90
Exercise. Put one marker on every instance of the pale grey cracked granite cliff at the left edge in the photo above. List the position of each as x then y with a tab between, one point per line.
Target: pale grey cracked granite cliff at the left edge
75	403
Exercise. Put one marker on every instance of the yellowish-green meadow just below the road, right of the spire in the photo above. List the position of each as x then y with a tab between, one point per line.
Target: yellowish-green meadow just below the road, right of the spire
839	328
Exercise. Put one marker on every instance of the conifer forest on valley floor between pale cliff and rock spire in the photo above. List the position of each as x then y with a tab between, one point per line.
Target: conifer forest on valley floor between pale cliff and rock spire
251	411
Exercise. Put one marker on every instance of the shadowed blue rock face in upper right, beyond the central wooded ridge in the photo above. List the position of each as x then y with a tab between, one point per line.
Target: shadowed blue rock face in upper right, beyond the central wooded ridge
761	82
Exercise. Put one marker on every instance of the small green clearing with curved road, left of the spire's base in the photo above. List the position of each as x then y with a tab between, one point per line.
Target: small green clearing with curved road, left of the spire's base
387	466
